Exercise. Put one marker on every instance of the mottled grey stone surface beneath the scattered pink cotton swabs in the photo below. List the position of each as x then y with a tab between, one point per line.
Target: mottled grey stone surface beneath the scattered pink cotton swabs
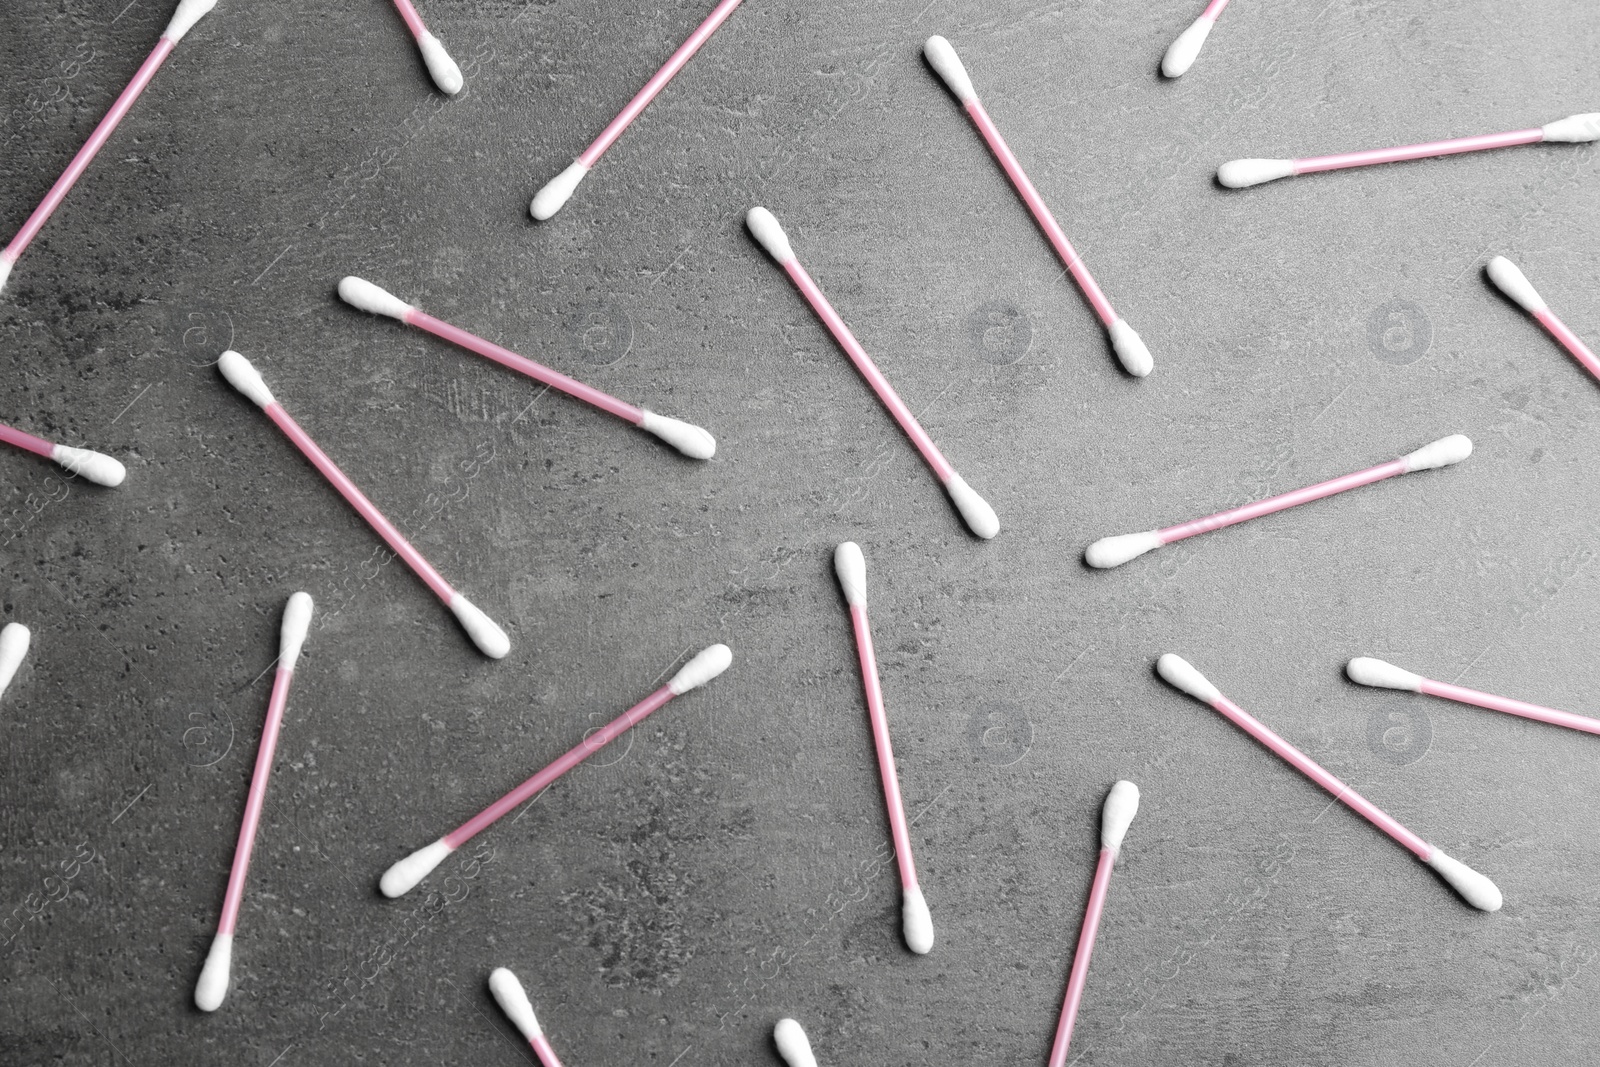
727	865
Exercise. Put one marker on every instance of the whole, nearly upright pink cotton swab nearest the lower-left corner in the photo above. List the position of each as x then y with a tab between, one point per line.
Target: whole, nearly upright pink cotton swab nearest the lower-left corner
214	977
